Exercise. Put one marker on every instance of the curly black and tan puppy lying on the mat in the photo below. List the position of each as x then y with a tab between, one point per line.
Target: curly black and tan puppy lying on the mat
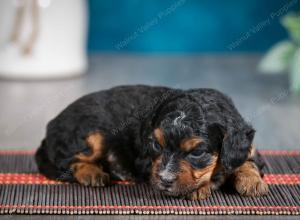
185	143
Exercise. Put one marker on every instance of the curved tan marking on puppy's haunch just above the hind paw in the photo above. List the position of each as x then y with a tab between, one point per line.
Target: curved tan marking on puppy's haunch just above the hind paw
96	142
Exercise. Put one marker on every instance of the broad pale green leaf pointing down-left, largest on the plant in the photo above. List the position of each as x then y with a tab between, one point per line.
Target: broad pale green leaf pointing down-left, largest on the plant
278	59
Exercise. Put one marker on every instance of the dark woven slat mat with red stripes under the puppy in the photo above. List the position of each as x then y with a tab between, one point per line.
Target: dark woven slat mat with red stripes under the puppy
24	191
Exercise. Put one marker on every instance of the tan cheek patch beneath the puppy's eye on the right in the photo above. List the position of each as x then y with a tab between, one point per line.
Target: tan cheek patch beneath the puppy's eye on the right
190	176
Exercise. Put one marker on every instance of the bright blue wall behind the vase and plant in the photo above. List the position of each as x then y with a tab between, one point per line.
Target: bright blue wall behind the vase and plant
186	25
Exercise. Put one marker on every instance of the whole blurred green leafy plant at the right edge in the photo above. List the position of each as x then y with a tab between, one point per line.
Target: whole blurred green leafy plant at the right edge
284	57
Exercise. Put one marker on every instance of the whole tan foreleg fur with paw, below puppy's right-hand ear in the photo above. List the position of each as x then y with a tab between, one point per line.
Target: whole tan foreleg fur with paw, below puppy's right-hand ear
248	182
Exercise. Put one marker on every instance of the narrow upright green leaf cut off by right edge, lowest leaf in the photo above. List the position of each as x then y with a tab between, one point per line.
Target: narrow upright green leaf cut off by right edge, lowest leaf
295	73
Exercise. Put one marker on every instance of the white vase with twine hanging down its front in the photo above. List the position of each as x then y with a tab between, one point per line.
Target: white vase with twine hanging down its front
42	38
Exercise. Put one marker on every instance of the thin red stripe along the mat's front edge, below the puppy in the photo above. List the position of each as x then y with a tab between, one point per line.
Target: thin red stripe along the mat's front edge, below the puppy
147	207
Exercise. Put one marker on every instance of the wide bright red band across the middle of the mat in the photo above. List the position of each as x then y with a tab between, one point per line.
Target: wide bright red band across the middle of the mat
24	178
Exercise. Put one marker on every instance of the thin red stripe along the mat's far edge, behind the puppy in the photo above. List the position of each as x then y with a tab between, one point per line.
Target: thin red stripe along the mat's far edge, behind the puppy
263	152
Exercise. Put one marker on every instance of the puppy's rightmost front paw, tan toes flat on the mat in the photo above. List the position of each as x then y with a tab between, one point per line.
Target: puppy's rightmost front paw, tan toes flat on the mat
251	185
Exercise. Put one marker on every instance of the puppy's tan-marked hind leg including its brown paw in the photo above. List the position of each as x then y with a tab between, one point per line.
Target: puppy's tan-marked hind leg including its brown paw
87	169
